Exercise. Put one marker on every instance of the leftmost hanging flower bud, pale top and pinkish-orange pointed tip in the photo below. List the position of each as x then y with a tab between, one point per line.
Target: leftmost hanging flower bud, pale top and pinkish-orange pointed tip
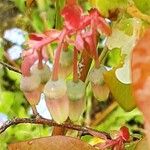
30	85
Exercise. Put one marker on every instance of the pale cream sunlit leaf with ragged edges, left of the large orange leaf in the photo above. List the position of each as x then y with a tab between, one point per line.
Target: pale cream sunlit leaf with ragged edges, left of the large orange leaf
119	39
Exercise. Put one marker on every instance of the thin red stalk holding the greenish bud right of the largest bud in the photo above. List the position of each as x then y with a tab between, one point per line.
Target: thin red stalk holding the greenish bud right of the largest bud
75	65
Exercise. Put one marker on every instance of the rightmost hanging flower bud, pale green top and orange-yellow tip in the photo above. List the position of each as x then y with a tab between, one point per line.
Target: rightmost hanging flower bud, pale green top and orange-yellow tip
99	87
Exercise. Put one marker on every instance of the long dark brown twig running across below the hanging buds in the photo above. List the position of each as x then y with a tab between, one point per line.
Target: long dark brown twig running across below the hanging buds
43	121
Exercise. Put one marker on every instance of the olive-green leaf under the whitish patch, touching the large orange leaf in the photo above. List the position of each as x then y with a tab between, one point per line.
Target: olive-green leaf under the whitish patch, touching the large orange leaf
121	92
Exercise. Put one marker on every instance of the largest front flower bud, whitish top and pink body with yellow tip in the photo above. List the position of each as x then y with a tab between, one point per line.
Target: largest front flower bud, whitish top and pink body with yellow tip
57	100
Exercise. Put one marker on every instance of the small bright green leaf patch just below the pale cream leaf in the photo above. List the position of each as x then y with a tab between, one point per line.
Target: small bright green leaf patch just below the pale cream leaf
113	58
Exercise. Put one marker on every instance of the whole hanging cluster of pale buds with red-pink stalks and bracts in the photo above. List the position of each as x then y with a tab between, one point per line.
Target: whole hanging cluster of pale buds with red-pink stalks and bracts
80	32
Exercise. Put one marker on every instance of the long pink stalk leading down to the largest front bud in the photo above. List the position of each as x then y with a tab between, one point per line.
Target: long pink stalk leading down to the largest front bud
57	56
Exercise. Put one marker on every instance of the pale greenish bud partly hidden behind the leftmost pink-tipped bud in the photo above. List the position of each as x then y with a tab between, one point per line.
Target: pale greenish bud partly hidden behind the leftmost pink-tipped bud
44	73
